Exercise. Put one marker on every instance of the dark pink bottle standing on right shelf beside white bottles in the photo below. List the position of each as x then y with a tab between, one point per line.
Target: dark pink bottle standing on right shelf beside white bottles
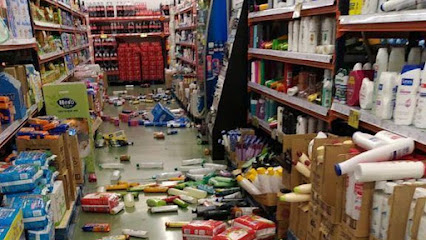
354	85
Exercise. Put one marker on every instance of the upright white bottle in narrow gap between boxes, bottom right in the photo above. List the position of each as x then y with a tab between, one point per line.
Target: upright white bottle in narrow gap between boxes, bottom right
376	212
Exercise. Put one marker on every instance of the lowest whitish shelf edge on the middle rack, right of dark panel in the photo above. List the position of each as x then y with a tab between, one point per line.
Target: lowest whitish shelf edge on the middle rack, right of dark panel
300	102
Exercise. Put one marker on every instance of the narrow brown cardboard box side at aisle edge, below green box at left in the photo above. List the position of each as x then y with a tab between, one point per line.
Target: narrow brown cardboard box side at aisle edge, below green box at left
77	163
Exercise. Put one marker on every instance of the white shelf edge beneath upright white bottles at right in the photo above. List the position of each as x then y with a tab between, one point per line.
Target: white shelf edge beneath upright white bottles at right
366	116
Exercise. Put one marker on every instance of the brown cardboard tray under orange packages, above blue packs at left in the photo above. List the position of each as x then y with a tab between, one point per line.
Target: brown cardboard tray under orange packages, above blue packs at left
56	146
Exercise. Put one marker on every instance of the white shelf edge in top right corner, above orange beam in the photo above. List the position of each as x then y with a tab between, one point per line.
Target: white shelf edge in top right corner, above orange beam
389	17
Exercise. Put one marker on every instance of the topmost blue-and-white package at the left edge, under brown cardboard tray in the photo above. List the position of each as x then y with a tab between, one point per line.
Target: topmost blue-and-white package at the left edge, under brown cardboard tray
20	178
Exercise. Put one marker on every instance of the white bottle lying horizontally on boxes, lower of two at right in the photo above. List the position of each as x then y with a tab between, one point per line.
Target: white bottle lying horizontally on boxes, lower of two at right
371	172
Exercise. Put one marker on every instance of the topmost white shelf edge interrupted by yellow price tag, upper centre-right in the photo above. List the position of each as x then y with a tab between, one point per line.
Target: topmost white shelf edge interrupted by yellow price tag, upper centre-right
277	11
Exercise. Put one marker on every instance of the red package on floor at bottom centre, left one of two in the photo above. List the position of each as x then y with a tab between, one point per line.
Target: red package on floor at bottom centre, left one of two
205	229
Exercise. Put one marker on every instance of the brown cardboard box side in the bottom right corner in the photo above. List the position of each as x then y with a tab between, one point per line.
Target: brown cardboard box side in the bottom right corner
400	203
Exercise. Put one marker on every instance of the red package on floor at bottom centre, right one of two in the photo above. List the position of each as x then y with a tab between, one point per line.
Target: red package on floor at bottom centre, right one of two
263	227
